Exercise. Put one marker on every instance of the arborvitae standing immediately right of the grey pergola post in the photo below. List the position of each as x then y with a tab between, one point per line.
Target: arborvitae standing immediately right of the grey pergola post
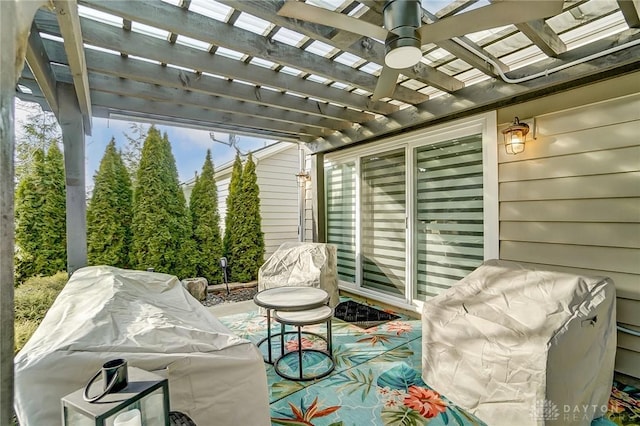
109	213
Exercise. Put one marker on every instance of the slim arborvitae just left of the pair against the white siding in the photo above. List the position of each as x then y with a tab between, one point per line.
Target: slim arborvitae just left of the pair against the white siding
205	220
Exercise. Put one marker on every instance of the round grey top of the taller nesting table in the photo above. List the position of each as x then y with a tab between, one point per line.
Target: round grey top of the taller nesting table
292	298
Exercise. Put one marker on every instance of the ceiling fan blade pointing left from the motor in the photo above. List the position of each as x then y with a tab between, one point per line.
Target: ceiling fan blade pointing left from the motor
318	15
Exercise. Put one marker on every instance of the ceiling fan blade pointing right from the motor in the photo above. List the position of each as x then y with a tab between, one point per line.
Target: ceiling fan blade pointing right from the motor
495	15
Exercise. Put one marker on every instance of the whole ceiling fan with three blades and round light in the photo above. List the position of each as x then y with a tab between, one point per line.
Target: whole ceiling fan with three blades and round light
404	33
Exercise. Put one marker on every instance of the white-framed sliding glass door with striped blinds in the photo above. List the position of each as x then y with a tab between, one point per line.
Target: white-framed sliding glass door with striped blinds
413	215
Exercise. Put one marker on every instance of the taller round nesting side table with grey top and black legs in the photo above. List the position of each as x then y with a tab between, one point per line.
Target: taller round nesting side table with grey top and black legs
292	298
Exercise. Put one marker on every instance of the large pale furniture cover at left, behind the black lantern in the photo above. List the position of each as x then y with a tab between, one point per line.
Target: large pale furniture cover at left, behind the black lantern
155	324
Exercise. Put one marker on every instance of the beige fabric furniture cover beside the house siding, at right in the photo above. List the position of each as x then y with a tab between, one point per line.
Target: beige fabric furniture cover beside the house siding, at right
519	346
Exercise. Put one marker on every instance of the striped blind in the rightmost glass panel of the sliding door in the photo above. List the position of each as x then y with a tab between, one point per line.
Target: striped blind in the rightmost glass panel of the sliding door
449	213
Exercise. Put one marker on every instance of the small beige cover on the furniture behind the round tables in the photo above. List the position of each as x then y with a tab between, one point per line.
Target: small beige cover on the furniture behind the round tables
302	264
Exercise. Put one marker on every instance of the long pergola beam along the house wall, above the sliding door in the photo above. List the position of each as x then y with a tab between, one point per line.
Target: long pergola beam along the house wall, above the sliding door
489	95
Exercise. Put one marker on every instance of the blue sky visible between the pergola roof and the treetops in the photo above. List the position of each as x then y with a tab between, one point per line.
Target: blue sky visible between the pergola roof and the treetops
189	146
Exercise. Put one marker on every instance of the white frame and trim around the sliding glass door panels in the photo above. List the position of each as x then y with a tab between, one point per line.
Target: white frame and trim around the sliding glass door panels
486	125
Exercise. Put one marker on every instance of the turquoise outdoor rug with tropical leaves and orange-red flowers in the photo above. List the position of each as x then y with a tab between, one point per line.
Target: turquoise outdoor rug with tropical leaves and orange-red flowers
376	381
